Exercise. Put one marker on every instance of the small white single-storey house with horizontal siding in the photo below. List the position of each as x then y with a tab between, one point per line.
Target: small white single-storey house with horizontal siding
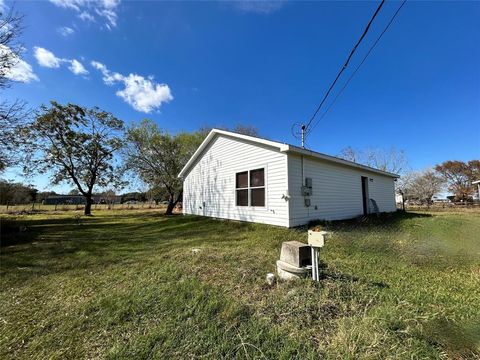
240	177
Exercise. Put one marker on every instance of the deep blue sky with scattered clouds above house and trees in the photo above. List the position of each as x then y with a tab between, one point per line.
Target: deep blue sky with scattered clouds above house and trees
189	64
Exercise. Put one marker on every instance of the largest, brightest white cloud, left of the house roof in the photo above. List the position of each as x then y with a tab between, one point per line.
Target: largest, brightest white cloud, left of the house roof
143	94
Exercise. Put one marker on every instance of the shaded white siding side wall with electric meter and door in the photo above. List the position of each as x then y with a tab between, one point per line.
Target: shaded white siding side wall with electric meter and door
337	191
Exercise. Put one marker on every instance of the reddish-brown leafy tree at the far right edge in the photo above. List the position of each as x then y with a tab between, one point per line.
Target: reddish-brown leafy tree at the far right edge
459	176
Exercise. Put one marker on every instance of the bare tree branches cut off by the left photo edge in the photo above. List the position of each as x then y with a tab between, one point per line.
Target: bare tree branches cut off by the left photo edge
12	114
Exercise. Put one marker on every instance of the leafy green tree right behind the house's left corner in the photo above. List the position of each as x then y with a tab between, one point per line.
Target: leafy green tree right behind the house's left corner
157	157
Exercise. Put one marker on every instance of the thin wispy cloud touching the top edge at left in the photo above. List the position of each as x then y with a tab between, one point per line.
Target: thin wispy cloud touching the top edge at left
106	9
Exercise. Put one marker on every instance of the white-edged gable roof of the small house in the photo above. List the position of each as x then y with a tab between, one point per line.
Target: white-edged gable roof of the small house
282	147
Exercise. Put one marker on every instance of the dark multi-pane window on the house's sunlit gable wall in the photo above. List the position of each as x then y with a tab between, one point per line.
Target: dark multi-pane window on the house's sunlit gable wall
250	188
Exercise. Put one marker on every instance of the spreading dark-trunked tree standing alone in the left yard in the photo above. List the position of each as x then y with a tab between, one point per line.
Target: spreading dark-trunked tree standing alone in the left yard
75	145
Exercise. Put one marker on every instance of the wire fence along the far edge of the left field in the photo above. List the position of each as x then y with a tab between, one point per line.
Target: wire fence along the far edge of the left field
6	209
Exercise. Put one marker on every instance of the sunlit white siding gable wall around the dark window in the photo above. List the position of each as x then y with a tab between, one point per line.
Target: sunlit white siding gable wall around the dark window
212	180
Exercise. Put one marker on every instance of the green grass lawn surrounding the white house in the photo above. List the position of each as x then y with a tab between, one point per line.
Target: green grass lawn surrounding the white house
126	284
